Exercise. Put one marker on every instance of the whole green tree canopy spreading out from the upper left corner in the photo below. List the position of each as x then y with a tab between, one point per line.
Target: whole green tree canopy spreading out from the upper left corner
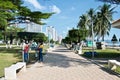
12	11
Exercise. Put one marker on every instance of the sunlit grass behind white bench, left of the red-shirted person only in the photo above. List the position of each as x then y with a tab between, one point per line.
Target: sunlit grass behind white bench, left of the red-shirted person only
7	58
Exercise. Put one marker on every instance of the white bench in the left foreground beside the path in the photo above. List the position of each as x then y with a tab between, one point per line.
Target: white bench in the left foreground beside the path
10	72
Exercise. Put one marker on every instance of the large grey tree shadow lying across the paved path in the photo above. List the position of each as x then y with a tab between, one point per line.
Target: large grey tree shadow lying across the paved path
62	60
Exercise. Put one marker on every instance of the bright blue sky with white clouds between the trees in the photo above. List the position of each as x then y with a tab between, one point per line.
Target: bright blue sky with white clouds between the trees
68	13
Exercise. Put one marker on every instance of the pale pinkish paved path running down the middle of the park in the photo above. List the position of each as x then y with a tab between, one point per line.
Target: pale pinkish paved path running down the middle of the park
62	64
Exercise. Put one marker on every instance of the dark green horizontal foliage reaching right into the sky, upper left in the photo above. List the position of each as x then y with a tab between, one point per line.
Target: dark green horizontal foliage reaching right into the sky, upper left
25	15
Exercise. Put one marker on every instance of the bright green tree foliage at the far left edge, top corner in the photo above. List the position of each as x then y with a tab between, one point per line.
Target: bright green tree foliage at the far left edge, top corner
7	9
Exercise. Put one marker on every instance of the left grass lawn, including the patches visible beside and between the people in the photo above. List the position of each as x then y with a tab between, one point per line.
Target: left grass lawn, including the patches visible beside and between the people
11	56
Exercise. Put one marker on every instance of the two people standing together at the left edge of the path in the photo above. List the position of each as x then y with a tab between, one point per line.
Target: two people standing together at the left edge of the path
38	49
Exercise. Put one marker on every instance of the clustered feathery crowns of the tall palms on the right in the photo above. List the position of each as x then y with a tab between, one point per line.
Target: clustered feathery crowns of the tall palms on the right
99	20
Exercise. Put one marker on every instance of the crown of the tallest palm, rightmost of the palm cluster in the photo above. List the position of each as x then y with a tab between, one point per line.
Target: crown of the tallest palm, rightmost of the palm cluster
104	16
